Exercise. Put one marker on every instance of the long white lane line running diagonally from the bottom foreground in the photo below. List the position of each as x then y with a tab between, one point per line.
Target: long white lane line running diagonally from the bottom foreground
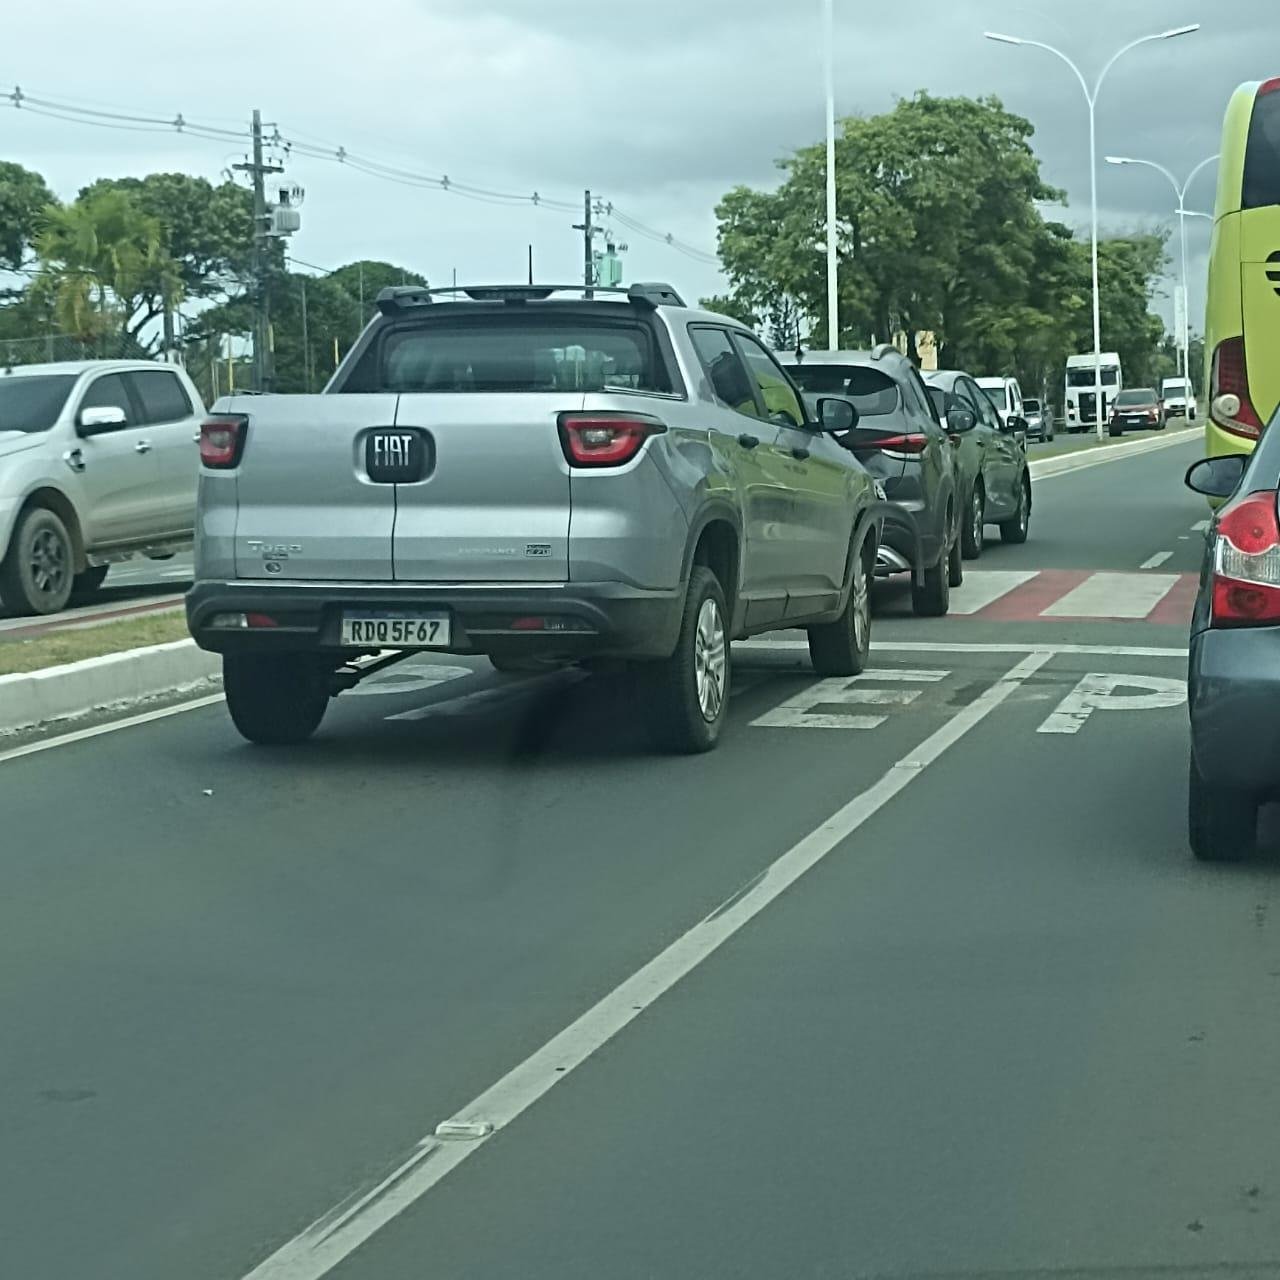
335	1237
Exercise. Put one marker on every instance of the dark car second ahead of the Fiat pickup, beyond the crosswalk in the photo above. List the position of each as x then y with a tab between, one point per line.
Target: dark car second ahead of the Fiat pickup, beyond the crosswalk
995	484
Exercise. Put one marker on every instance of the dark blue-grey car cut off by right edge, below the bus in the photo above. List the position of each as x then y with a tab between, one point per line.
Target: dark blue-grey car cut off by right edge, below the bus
1233	684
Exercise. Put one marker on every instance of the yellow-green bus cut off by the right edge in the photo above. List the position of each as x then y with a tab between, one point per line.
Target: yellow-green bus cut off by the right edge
1242	318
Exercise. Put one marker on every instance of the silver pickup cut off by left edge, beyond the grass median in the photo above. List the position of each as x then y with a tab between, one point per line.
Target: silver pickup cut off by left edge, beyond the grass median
98	464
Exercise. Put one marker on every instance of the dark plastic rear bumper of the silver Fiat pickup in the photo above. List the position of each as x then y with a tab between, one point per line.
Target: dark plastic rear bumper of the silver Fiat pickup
587	619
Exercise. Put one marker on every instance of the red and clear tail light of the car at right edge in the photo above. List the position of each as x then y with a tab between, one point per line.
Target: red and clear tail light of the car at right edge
1247	564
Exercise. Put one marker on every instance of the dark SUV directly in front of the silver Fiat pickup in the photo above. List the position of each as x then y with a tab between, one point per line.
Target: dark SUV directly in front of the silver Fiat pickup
903	442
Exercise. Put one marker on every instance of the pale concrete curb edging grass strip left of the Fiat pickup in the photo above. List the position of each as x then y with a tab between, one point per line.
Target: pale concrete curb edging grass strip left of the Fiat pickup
102	684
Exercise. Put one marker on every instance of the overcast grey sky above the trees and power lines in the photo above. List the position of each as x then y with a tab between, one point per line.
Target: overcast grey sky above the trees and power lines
659	106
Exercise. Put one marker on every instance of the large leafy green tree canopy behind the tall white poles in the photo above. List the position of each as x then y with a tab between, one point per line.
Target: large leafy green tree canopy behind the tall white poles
939	230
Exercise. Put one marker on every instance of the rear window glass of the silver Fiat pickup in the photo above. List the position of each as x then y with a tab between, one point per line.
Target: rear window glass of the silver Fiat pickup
513	354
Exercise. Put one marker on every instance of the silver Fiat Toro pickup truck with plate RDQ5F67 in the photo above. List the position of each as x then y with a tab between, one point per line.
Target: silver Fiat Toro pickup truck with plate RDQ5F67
537	478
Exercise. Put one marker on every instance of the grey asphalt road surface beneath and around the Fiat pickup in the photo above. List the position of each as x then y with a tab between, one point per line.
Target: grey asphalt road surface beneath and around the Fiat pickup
915	977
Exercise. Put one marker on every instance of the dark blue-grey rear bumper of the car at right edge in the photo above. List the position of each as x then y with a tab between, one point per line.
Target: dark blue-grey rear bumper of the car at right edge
1233	693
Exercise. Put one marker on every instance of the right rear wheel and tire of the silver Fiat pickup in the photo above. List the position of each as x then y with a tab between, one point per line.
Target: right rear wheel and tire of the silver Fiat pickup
687	696
